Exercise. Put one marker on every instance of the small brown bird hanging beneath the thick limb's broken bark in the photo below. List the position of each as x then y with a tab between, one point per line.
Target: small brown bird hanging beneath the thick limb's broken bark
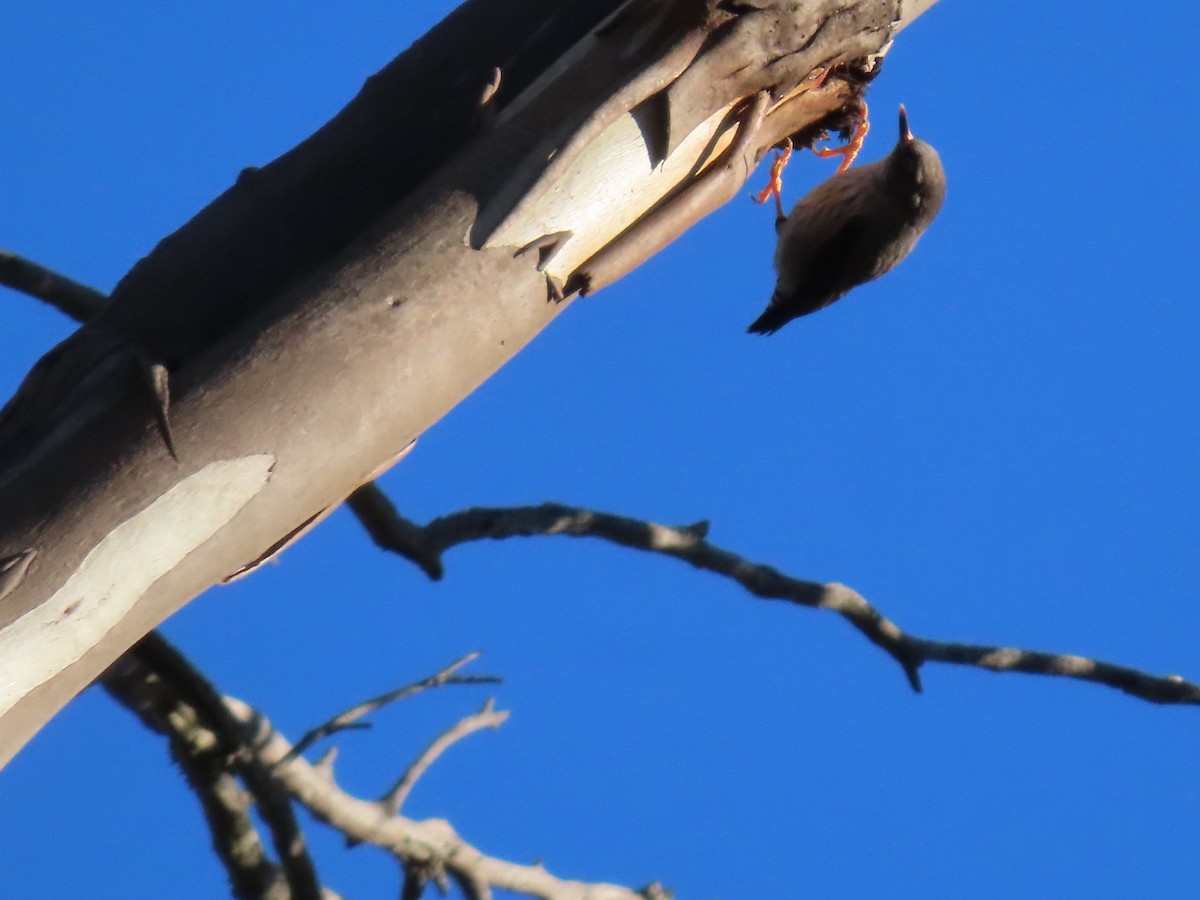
854	229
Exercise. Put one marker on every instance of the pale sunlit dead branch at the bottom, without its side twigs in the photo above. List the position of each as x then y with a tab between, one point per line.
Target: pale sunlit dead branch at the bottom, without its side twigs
431	845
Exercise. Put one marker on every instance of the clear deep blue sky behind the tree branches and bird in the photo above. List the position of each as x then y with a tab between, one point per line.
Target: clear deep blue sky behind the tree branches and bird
997	443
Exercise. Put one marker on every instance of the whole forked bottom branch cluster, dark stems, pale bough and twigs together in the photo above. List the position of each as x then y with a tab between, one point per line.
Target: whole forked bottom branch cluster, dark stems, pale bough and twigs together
171	697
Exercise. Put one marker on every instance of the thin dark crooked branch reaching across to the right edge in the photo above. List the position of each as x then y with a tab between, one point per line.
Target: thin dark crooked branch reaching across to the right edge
689	544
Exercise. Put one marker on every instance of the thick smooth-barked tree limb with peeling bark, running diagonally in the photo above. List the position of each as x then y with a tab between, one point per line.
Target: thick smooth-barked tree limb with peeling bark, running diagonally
365	283
